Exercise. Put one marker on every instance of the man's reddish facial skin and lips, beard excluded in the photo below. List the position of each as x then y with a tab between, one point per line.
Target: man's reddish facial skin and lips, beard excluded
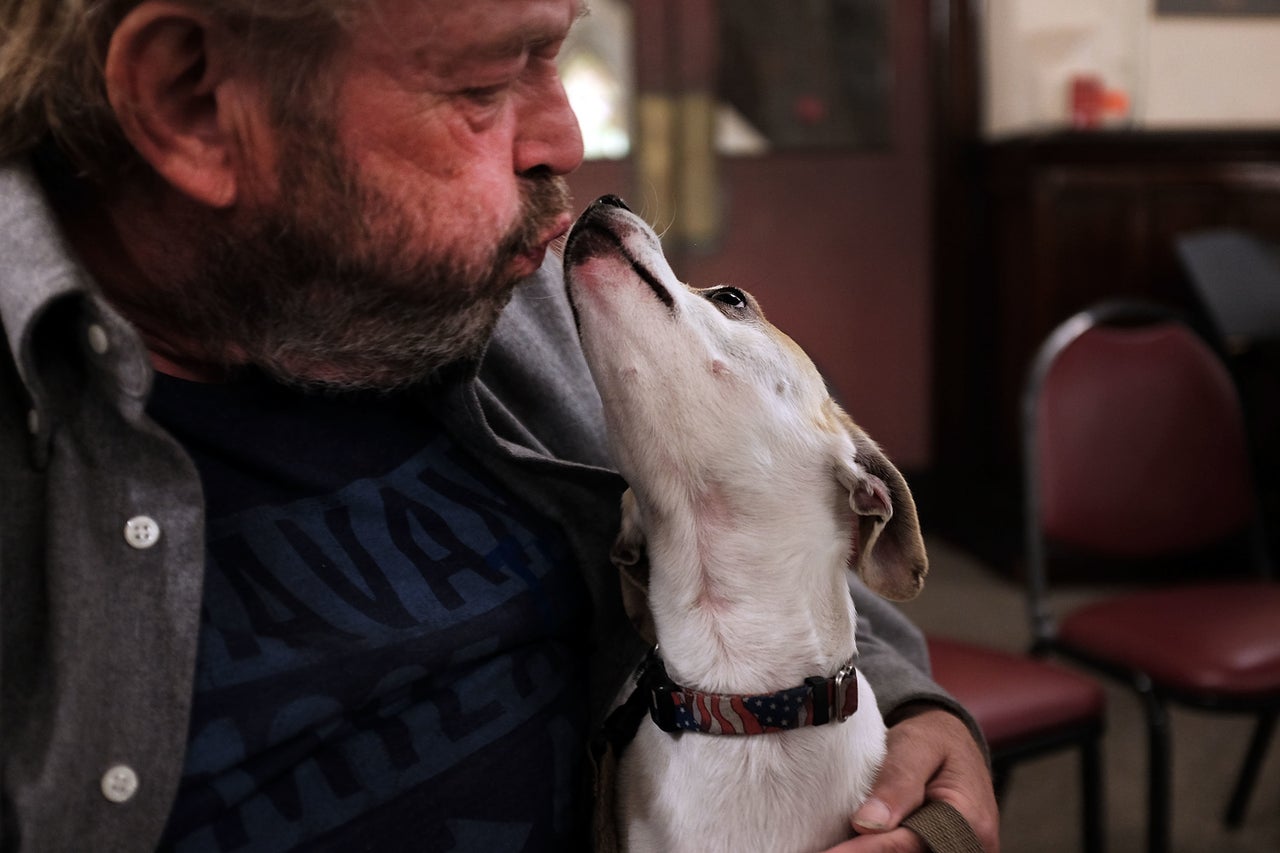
447	104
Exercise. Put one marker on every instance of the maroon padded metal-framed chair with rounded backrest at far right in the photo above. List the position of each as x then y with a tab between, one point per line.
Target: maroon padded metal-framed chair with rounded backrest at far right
1136	462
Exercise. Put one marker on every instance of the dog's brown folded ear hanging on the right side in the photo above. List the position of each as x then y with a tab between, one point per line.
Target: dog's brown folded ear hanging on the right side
890	553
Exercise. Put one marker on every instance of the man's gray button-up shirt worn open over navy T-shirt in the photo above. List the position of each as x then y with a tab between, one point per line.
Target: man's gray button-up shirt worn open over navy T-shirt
102	537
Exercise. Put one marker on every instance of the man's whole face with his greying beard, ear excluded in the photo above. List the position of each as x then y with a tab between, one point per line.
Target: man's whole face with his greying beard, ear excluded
397	225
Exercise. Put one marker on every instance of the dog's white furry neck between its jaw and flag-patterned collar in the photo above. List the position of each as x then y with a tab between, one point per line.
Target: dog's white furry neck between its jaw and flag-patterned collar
751	595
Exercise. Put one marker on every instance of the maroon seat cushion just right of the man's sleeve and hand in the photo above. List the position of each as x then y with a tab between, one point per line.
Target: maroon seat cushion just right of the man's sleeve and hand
1014	697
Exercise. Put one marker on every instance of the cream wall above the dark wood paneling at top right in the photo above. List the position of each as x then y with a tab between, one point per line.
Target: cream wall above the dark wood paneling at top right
1177	72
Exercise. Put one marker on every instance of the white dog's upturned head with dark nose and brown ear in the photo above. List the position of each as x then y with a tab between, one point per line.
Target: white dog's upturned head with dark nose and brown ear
705	398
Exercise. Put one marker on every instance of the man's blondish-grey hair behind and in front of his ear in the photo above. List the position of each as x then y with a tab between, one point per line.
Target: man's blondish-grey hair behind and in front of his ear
53	56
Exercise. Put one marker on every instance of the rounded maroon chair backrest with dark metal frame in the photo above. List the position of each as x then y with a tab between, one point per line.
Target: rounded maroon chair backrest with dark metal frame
1135	444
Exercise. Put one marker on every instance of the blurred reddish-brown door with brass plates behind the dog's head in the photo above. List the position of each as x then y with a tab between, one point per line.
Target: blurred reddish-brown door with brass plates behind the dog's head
825	217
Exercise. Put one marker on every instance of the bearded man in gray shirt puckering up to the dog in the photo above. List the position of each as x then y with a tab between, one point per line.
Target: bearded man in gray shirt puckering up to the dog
305	505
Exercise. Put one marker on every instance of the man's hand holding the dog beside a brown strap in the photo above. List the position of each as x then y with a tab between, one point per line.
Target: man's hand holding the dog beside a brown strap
931	756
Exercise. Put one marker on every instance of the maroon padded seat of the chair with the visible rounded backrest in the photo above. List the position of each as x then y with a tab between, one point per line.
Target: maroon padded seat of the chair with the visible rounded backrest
1217	638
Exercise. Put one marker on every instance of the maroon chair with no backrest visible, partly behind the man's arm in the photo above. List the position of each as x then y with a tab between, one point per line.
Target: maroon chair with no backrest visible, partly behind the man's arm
1026	709
